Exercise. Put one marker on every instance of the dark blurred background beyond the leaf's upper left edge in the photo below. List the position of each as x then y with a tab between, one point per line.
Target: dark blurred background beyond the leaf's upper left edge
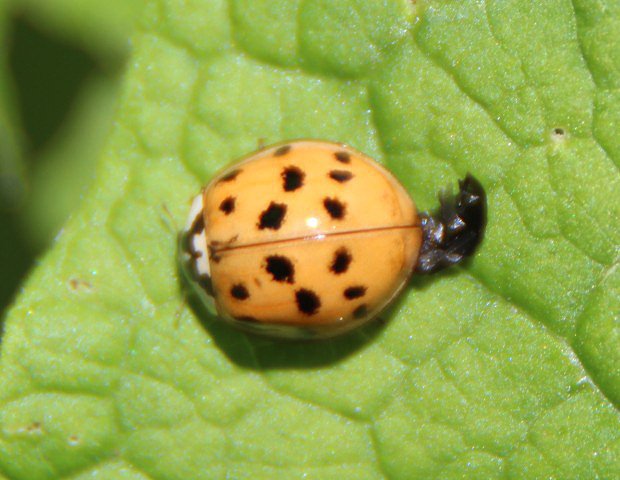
53	84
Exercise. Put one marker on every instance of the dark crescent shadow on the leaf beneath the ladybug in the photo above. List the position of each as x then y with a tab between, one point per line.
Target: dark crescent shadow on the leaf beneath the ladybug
257	352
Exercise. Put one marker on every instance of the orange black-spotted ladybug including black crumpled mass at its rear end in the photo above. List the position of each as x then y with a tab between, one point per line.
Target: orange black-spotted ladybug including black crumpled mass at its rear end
312	239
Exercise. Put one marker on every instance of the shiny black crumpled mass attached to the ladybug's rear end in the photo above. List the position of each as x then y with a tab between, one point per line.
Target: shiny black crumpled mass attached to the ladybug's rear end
454	231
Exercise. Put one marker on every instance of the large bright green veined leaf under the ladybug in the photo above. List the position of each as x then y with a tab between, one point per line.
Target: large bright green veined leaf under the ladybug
505	368
